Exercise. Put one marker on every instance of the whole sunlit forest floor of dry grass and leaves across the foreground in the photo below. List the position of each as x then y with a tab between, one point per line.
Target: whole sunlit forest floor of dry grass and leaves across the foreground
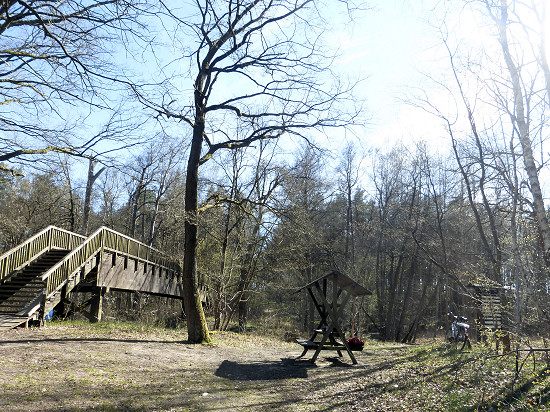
113	366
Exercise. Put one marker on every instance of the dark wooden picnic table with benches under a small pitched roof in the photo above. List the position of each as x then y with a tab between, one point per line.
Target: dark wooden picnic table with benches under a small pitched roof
330	294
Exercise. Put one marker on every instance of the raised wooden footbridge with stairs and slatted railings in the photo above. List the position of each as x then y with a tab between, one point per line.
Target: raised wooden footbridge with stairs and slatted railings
36	276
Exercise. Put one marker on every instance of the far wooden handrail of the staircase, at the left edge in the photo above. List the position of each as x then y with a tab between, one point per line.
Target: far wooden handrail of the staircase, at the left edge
49	238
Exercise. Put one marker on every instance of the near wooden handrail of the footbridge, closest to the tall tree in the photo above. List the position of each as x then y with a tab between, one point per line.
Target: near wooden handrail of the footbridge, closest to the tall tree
107	239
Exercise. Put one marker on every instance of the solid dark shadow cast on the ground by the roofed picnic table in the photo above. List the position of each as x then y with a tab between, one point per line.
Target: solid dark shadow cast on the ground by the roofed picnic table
286	368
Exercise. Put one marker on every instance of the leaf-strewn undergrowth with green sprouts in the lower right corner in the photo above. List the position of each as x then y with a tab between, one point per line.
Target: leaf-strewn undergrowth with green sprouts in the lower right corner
479	379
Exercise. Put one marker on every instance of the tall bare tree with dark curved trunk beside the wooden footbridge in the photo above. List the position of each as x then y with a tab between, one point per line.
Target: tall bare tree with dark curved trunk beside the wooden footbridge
259	73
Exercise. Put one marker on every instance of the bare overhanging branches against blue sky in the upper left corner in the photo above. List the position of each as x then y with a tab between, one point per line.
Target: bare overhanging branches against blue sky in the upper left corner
55	66
